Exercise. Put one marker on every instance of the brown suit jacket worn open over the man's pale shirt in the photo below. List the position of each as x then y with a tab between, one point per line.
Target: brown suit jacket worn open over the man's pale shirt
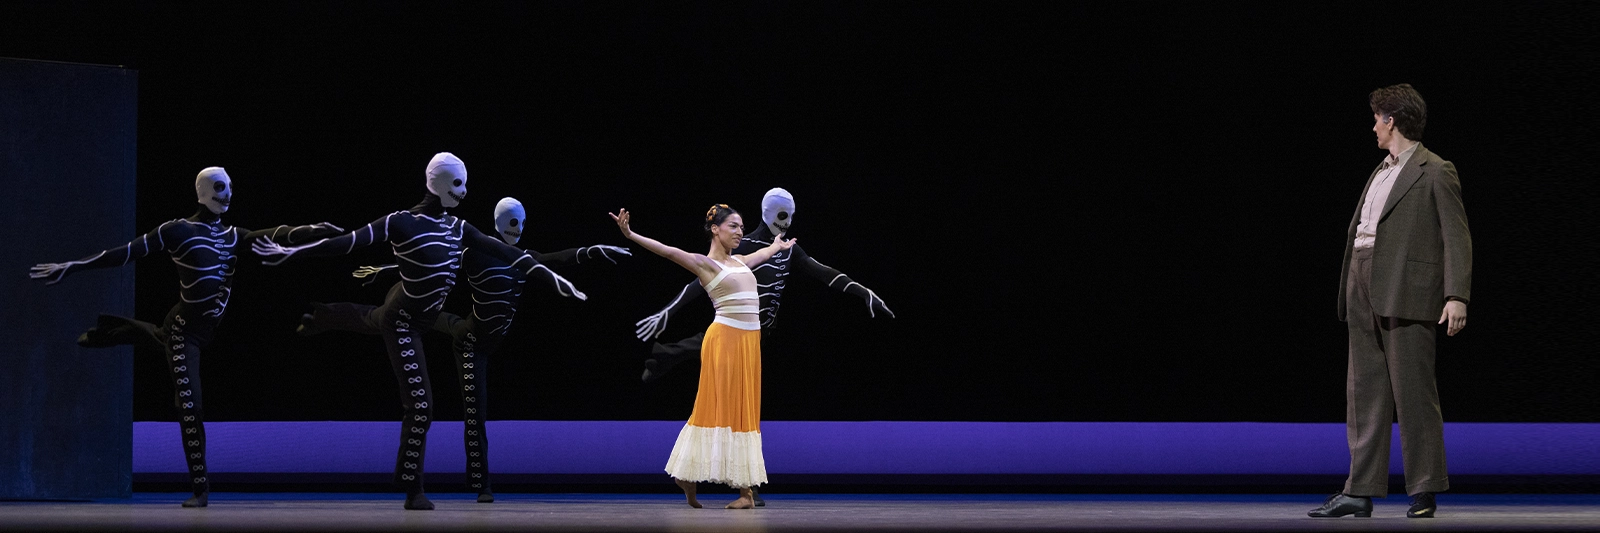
1423	255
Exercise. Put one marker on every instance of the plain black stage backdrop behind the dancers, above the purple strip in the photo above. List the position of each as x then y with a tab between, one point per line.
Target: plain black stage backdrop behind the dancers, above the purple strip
1081	212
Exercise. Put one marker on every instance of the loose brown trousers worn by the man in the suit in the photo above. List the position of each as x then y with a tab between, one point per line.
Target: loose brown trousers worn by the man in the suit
1391	377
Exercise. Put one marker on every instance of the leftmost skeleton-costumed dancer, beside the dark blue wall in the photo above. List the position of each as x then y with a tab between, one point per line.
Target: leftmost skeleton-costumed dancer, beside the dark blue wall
202	247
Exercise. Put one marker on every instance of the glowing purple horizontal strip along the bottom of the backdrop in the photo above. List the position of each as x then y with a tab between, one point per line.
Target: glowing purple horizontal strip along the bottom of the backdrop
641	447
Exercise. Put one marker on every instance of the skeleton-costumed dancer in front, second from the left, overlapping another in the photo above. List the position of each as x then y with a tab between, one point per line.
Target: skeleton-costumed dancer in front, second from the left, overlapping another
430	244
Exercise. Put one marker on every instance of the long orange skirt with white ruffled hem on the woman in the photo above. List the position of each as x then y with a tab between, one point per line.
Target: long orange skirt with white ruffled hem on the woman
722	441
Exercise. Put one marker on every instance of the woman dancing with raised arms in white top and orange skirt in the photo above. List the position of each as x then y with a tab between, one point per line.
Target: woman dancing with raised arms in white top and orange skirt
722	441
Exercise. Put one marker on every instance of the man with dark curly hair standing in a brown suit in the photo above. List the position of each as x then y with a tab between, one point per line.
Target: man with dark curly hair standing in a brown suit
1407	268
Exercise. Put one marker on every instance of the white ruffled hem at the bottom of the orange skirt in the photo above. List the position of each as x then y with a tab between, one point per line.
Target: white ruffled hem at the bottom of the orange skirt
719	455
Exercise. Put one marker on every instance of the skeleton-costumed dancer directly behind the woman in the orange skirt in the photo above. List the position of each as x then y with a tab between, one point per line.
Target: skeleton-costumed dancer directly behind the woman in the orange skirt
772	279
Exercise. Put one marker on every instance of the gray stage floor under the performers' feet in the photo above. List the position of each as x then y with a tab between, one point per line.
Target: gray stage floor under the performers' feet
798	513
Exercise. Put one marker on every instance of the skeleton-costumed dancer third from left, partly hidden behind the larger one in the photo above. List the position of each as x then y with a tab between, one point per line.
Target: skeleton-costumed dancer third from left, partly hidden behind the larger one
497	289
